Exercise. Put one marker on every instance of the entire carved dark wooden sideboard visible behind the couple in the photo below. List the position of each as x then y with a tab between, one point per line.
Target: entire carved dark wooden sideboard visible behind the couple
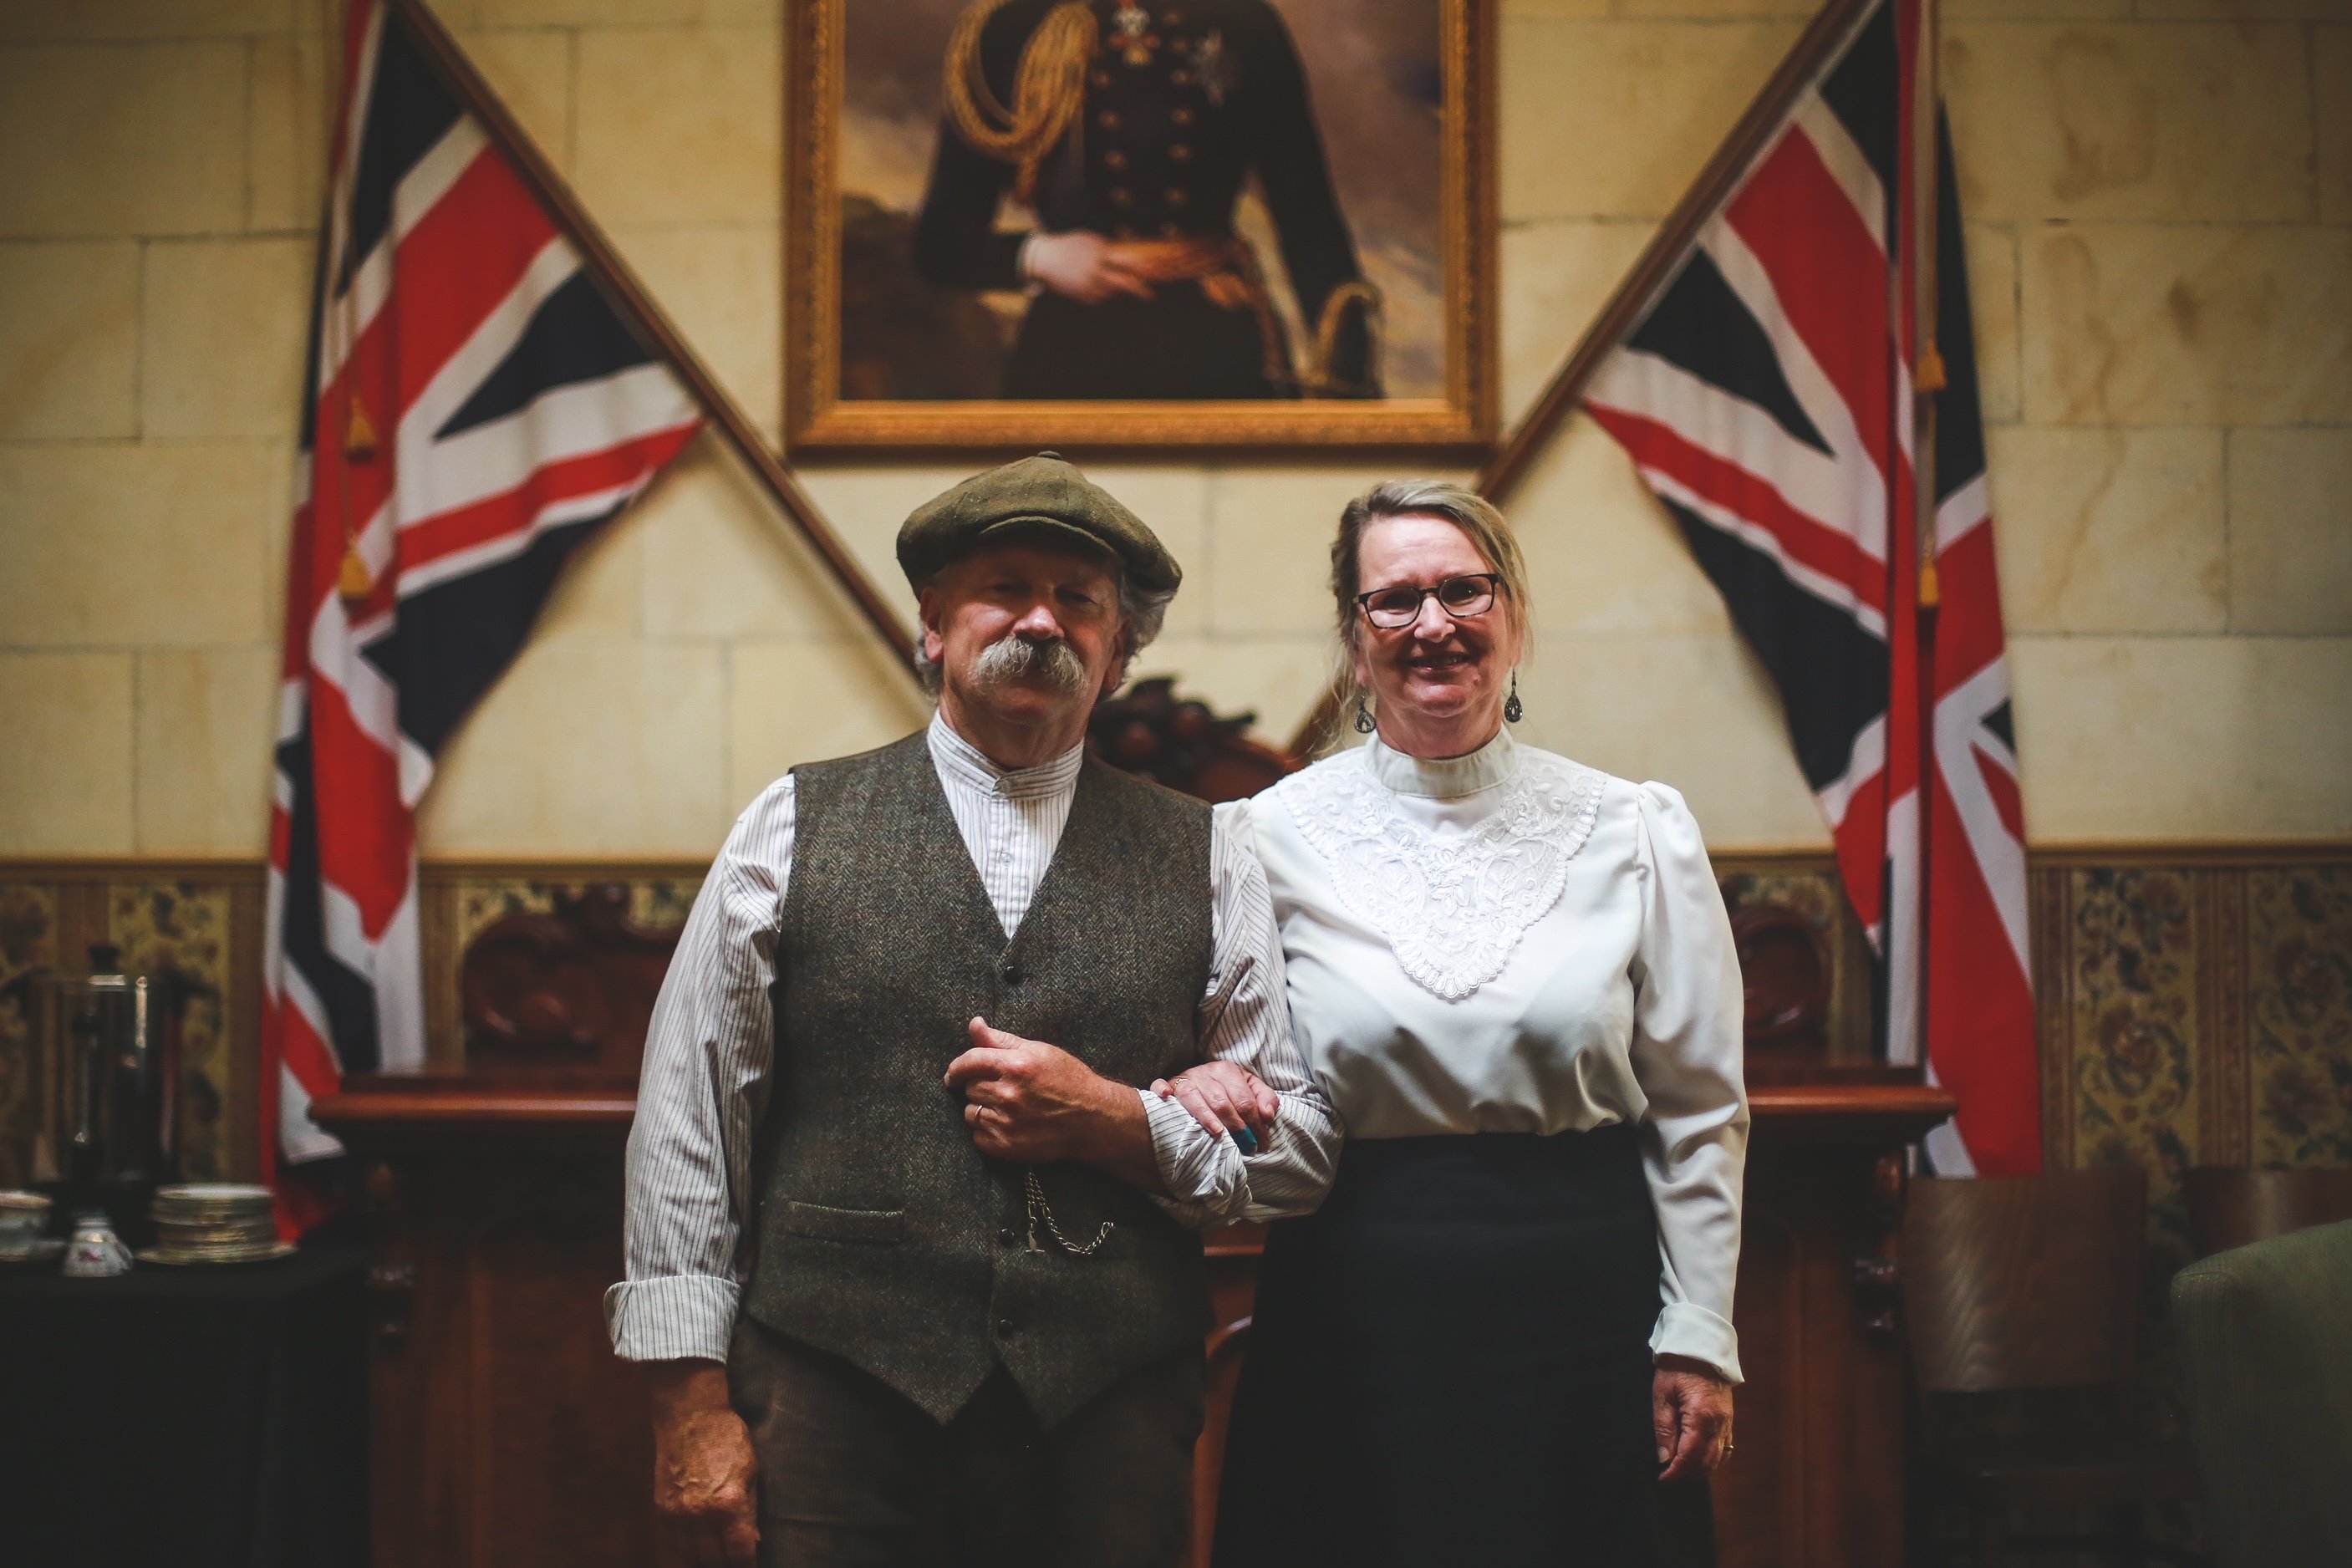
507	1433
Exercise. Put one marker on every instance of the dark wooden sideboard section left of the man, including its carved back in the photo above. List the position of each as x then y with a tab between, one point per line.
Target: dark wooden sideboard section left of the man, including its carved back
502	1426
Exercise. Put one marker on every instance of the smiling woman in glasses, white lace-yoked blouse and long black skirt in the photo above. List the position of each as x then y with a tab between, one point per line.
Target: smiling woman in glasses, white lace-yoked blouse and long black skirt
1516	981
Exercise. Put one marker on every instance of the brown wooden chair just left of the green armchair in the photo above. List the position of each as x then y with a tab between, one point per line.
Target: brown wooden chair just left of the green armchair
2024	1304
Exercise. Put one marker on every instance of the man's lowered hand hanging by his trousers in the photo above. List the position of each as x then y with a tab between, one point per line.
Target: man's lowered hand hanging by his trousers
707	1480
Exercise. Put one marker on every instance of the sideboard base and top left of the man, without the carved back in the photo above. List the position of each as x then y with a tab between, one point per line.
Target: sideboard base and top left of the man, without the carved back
502	1430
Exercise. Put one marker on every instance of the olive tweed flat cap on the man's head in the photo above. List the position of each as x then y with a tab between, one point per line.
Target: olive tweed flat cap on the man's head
1034	495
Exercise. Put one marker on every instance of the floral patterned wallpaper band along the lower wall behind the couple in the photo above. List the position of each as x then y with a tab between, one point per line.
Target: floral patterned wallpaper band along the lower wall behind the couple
2193	1012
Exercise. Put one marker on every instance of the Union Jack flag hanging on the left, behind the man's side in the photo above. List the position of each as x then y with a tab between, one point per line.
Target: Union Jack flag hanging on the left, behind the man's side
474	410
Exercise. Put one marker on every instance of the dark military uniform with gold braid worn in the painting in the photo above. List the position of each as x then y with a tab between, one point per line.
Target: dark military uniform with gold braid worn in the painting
1142	126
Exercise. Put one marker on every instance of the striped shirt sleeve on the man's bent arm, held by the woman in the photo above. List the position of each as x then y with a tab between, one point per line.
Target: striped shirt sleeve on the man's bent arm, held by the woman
1245	1019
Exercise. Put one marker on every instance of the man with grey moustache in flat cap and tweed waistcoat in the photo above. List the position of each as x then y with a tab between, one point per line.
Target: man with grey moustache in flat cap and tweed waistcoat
907	1221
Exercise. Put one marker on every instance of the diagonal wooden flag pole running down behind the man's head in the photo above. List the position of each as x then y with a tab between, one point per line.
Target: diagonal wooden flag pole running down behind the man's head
655	328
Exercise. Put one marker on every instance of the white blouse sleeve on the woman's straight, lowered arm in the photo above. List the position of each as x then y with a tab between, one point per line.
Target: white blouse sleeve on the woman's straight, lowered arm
1688	1061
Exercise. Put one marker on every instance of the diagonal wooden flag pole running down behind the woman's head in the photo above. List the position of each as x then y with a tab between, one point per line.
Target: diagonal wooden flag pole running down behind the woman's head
1822	41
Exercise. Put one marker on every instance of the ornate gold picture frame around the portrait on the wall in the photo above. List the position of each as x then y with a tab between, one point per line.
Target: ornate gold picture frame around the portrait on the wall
1452	406
